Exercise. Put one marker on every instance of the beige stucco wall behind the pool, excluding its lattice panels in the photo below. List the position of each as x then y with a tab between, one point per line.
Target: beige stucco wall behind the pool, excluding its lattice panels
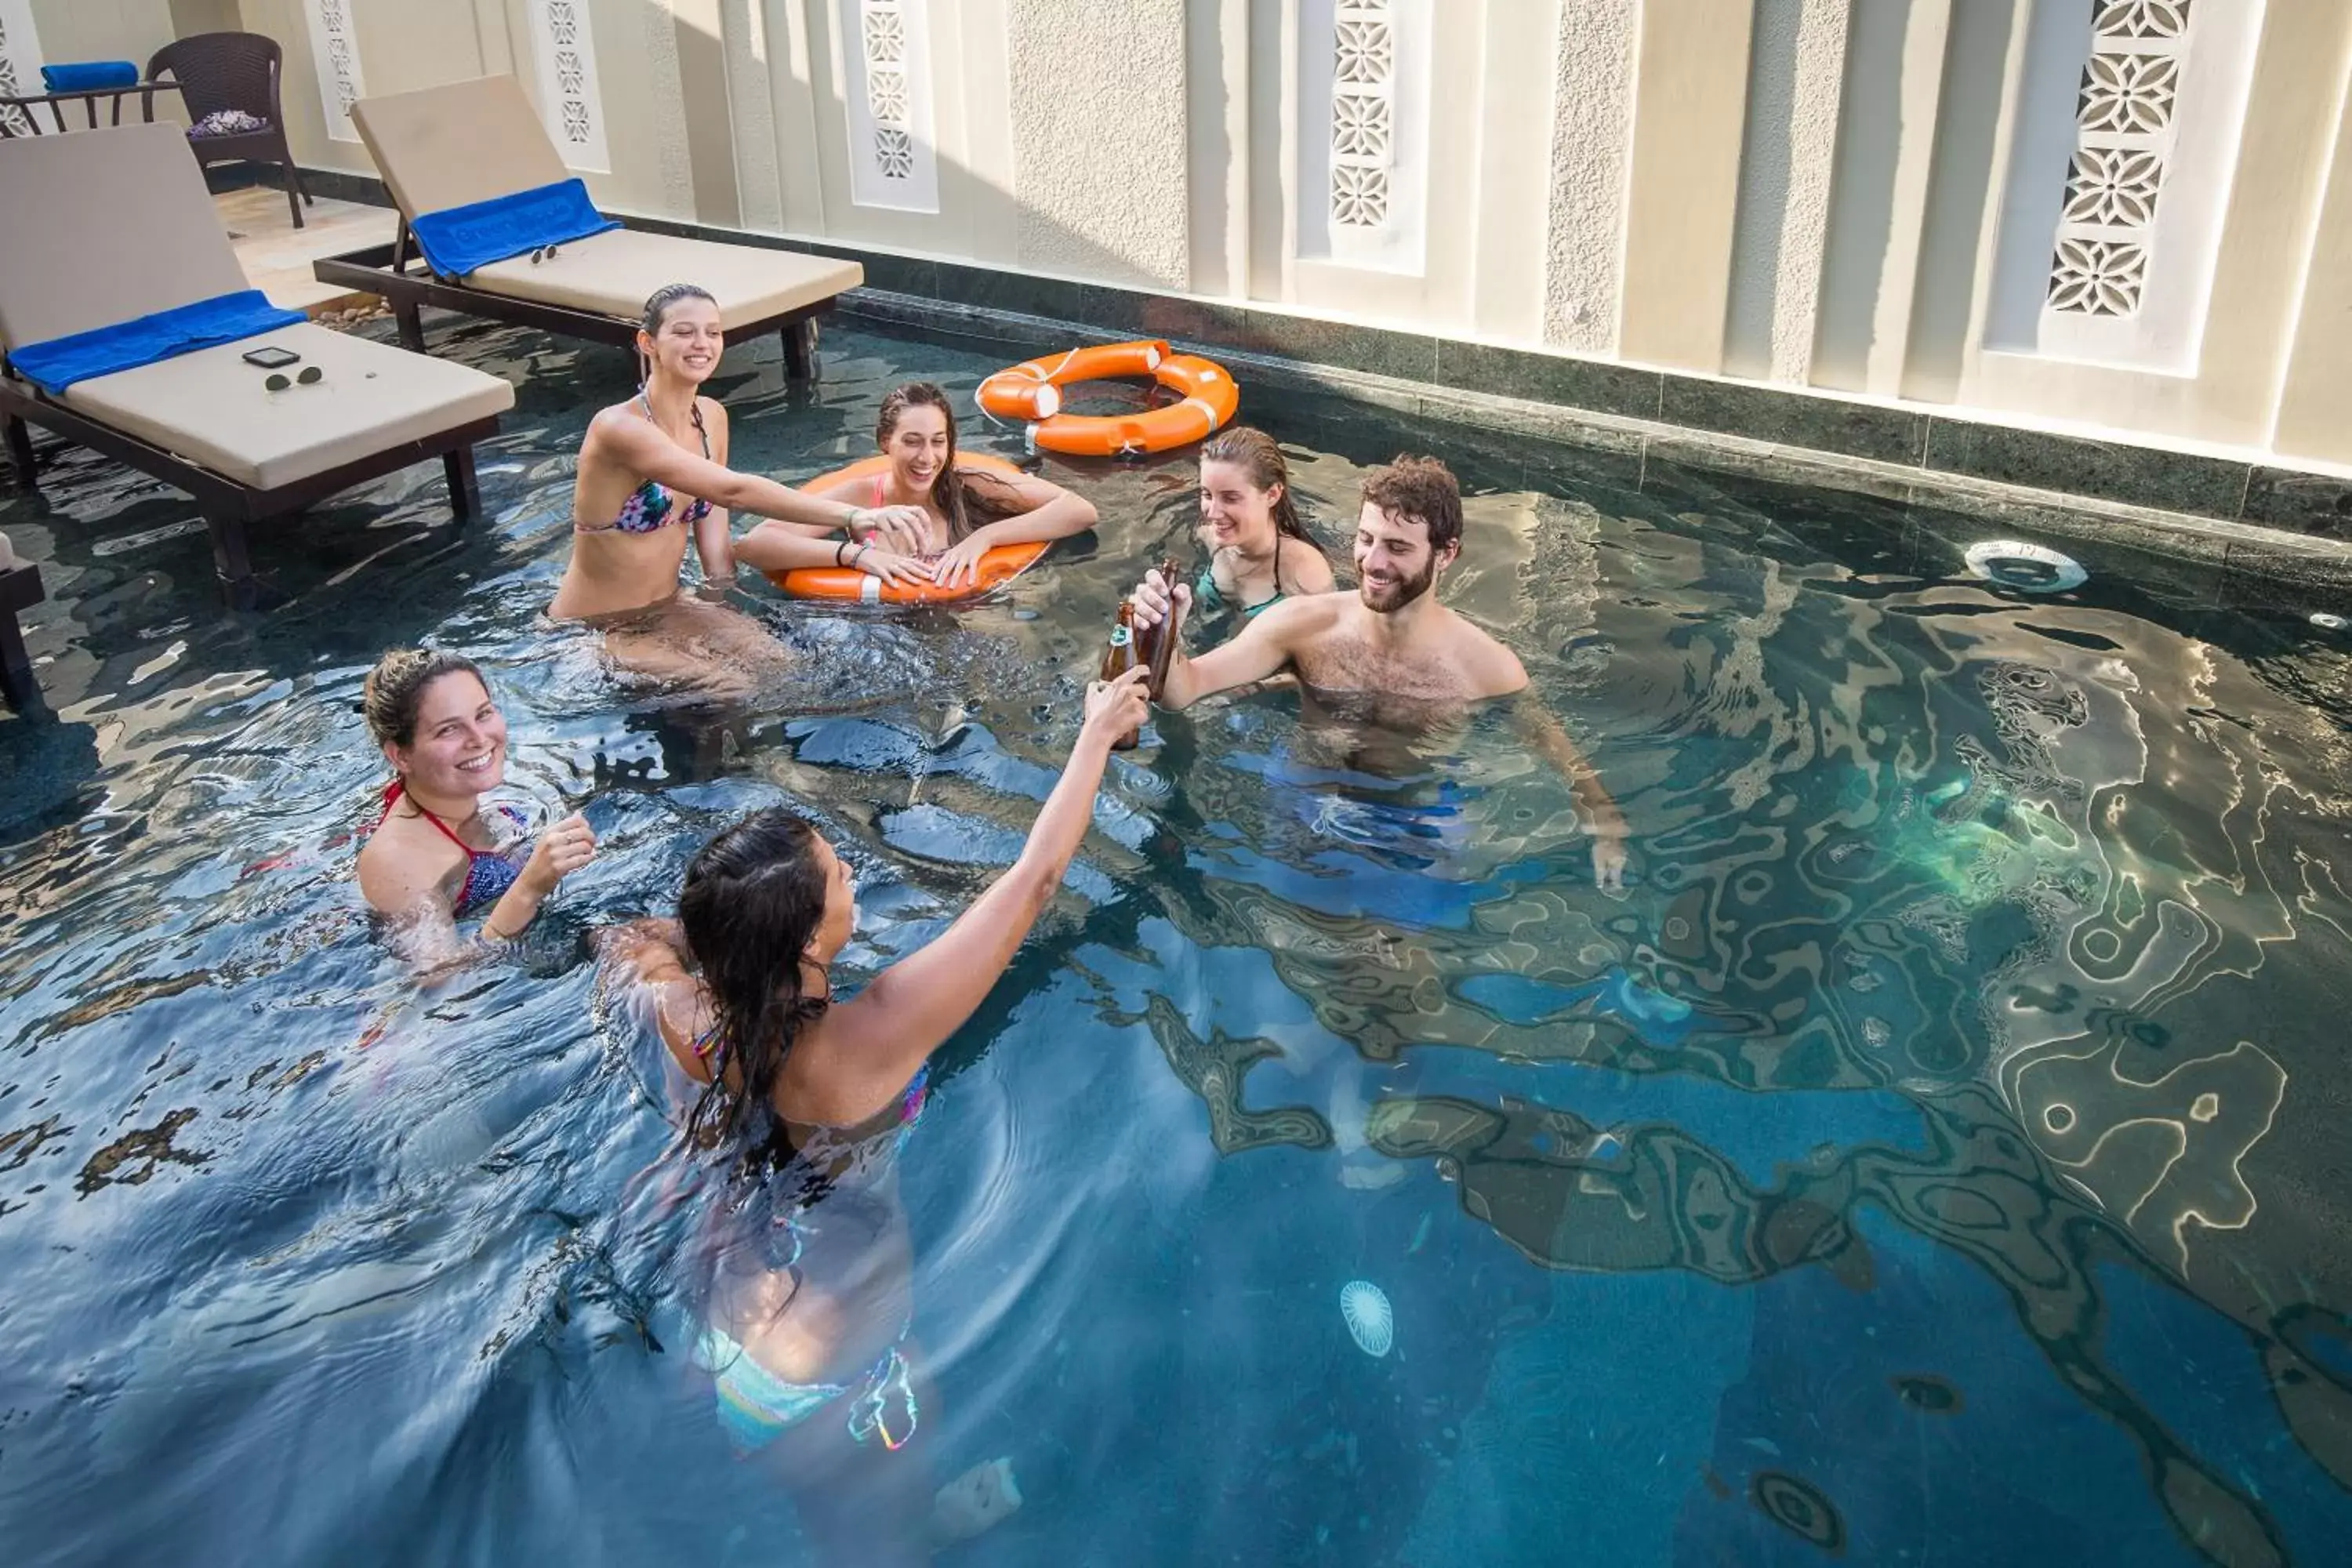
1796	192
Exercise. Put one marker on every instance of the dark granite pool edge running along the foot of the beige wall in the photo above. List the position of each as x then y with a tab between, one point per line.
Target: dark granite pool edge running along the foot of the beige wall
1817	438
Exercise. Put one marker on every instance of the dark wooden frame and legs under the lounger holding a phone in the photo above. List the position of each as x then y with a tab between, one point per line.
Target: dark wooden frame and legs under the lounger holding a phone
227	504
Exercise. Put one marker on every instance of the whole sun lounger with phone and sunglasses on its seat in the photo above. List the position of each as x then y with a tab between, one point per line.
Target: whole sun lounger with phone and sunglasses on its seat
112	229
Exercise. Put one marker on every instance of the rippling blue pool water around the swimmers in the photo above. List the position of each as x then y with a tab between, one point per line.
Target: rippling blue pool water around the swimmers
1937	1155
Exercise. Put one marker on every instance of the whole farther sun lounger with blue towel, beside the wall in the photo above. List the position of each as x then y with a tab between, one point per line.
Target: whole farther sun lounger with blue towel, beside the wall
476	147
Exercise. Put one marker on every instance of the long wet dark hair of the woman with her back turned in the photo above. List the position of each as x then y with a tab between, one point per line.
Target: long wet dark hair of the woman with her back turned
751	904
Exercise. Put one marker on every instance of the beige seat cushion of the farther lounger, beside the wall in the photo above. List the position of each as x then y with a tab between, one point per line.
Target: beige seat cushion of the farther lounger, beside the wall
617	272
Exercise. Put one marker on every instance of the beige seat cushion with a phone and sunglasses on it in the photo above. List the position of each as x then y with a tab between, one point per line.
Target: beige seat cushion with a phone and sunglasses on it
211	406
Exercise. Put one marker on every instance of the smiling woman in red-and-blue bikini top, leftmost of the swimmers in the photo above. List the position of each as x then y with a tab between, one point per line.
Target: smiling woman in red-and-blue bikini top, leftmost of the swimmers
436	857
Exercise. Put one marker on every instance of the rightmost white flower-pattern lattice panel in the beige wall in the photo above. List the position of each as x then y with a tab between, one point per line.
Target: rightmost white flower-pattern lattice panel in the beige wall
2125	128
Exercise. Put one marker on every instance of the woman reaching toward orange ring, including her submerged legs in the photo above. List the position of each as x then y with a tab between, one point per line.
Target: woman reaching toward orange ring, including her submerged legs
655	471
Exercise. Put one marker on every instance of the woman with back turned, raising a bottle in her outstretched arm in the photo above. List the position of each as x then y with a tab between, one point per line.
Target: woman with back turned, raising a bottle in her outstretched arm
806	1099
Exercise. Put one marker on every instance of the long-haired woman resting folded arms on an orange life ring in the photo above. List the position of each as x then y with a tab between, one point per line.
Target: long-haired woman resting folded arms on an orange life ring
968	511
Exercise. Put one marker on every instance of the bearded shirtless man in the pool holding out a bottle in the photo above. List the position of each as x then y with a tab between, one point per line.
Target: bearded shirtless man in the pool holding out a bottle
1391	655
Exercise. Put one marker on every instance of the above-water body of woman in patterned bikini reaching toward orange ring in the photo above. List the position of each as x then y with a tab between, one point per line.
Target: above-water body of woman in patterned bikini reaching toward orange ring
655	474
